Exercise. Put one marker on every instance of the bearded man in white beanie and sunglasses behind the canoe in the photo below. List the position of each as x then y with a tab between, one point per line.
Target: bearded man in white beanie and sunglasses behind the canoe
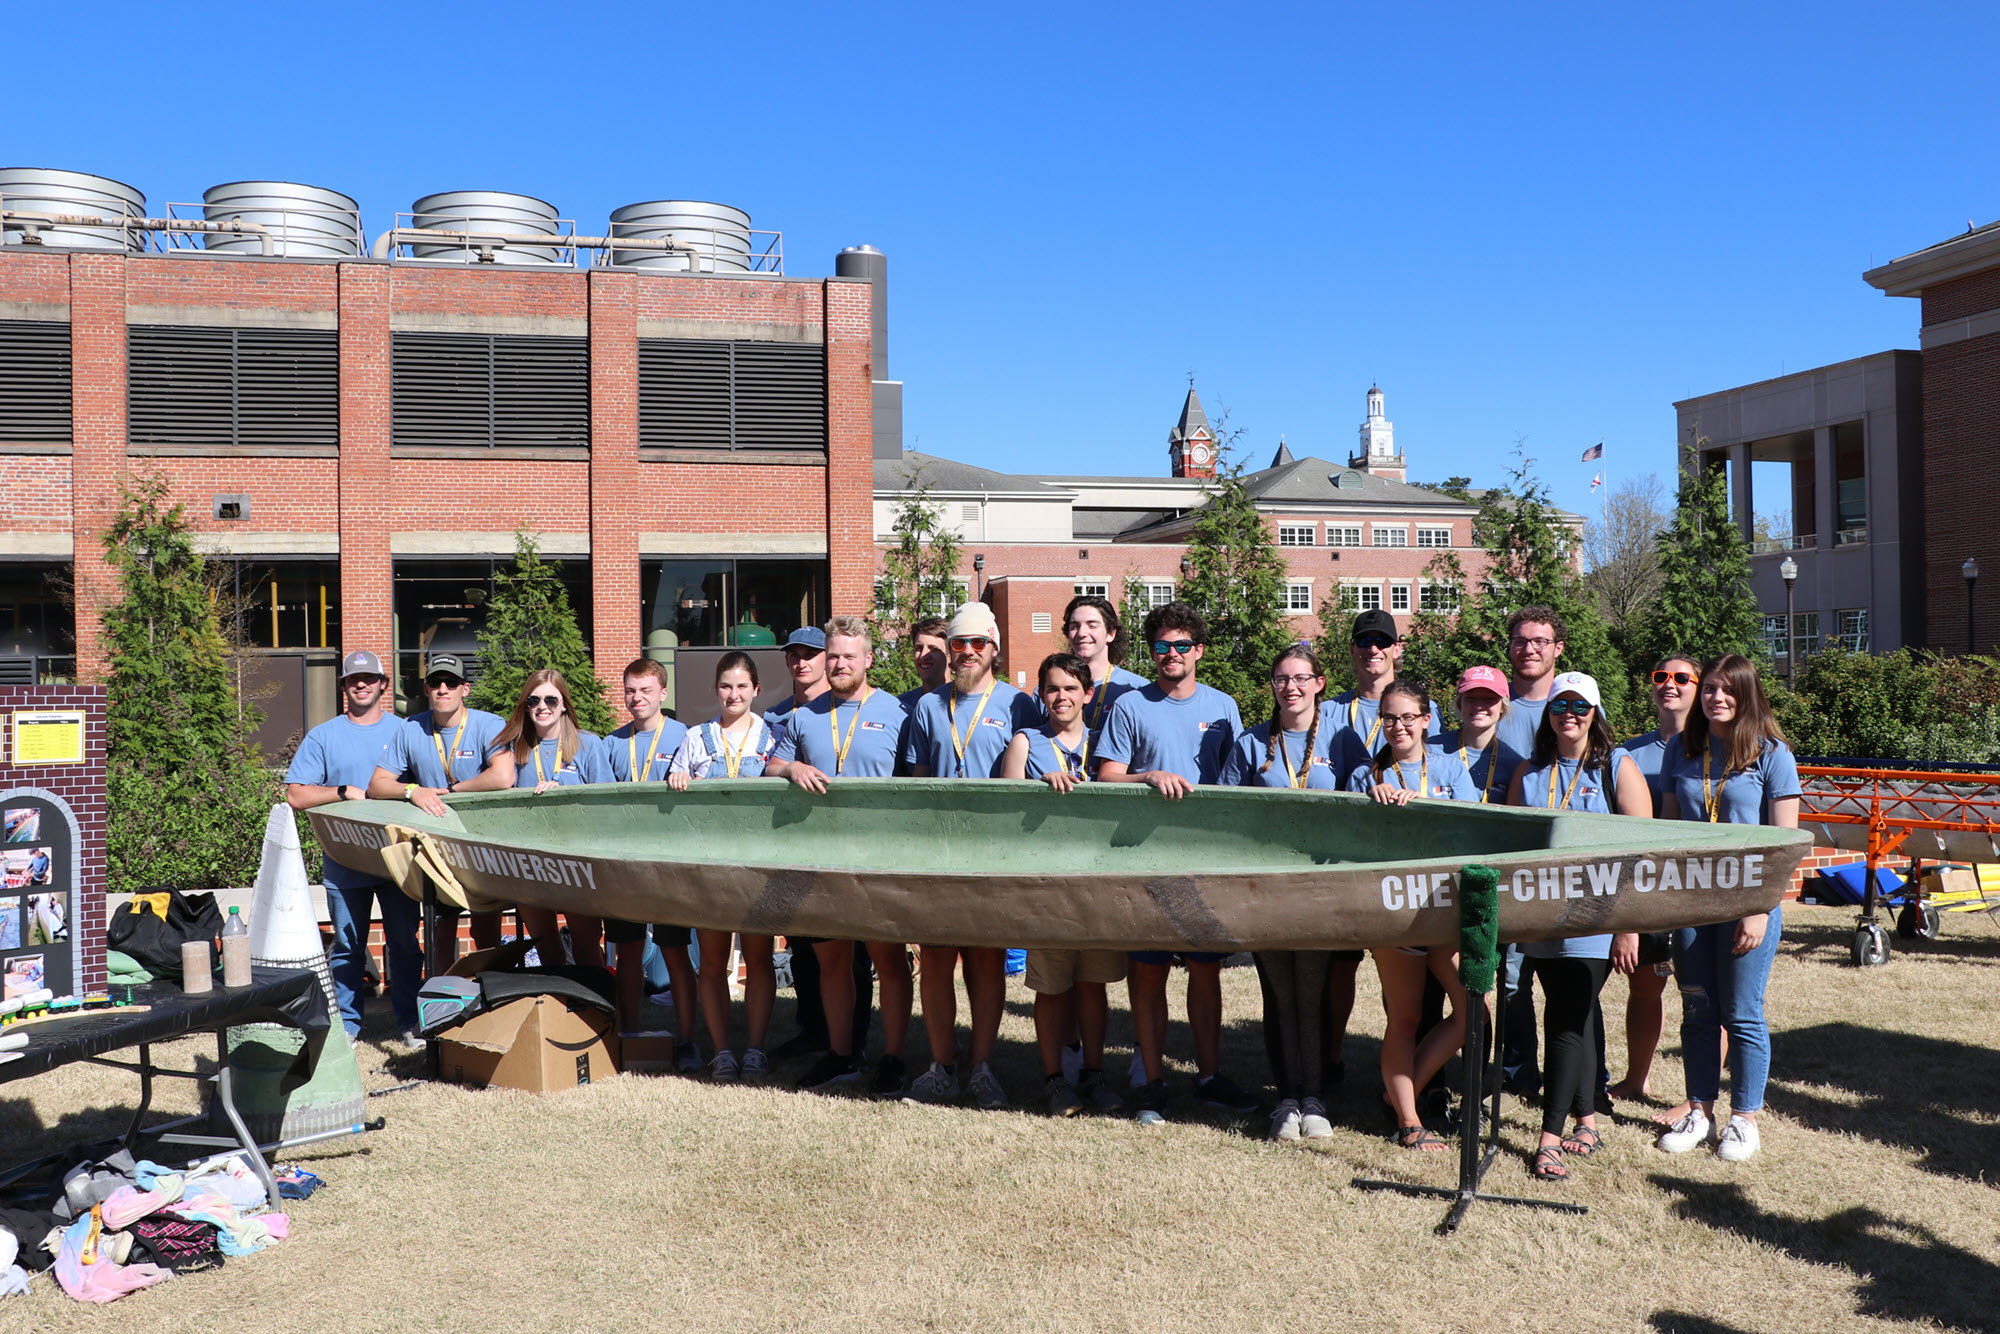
963	731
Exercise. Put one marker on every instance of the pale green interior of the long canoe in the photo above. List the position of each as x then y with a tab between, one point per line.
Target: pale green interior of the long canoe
1027	829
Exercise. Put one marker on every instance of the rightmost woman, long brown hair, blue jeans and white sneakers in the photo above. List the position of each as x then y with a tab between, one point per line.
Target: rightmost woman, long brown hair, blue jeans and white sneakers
1729	767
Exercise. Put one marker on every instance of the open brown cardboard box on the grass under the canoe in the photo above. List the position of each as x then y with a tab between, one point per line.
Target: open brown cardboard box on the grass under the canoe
537	1043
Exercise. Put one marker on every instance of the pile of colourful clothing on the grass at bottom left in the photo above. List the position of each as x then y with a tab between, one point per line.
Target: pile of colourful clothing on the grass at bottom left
121	1225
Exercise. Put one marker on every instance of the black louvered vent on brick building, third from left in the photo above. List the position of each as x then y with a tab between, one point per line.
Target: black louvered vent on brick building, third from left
491	391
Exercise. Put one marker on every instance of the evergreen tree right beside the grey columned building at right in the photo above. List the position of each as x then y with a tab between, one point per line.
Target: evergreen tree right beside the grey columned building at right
1705	605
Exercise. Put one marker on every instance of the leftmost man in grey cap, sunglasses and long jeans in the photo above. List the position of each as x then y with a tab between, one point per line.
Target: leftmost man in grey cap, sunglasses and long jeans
337	763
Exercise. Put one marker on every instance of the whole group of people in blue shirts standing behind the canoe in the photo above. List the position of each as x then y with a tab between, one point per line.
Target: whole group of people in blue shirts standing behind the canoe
1531	737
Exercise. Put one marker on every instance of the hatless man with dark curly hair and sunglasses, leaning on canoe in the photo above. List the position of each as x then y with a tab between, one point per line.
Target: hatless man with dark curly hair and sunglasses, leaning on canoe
1175	735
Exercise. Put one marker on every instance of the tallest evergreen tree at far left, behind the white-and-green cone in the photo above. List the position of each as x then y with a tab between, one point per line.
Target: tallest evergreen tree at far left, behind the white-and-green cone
183	783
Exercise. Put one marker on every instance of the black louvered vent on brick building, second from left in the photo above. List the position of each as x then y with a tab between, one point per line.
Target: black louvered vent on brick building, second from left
237	387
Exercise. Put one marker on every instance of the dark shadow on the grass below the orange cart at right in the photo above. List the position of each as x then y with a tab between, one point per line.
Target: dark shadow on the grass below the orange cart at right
1917	1093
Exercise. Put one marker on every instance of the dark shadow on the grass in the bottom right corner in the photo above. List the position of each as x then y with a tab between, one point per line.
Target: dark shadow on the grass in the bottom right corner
1905	1271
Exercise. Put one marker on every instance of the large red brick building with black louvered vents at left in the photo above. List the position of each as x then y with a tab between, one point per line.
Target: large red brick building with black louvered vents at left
363	437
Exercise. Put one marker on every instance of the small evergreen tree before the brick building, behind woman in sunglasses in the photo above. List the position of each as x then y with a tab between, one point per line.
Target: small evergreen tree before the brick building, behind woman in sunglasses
531	627
